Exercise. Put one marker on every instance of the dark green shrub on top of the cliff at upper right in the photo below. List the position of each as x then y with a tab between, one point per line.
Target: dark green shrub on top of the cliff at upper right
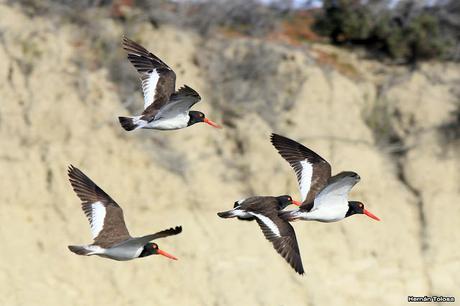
405	33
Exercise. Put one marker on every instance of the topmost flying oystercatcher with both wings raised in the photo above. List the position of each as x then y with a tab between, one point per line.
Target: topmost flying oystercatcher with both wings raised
164	107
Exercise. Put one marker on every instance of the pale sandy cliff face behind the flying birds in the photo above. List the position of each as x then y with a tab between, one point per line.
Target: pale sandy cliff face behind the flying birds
53	113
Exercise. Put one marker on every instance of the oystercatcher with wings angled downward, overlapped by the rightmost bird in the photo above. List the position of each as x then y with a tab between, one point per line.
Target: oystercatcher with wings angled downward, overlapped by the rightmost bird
265	209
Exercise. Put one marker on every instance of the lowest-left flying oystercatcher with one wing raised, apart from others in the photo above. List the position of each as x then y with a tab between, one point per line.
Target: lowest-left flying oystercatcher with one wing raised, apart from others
111	237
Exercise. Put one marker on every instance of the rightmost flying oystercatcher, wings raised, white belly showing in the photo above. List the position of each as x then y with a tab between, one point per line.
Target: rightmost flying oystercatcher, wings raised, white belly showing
324	198
